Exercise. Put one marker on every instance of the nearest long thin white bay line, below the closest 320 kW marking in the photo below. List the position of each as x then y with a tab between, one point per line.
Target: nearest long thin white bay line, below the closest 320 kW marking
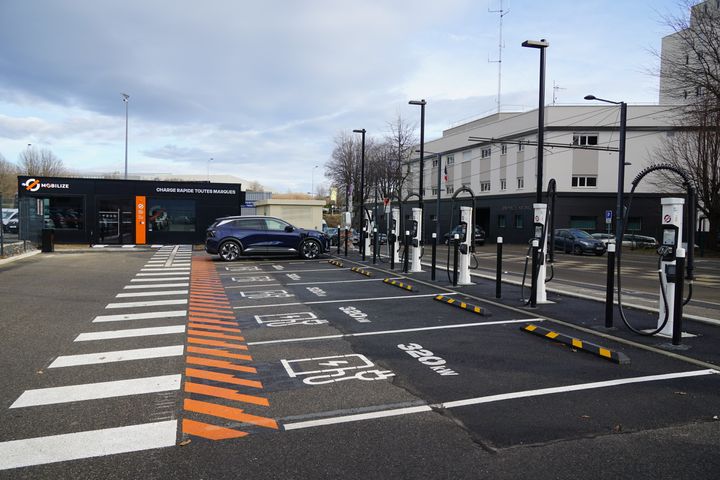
492	398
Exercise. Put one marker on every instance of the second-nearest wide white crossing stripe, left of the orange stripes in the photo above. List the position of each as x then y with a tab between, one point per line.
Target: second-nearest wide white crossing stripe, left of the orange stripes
94	391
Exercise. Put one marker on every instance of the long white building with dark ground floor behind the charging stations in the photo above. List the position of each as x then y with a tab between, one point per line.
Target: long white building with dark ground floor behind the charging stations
501	168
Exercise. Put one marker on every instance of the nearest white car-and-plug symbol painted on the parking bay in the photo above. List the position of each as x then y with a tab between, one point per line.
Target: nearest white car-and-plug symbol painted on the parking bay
338	368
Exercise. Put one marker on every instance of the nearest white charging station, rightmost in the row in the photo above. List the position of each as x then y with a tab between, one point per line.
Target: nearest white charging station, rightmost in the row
669	250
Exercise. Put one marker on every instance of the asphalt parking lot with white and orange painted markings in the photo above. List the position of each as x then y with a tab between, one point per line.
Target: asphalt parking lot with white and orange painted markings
282	368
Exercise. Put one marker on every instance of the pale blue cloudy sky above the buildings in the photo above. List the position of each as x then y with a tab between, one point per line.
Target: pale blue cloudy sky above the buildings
263	87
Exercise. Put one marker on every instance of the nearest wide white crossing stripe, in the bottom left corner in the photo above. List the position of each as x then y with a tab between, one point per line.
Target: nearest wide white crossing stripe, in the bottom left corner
93	443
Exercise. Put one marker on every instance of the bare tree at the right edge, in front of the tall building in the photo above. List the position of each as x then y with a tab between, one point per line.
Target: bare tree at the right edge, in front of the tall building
690	74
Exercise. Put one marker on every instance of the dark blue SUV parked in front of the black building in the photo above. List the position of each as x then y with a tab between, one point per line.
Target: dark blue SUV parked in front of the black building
232	237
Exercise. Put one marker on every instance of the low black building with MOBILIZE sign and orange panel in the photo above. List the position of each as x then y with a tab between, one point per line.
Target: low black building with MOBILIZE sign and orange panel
101	211
